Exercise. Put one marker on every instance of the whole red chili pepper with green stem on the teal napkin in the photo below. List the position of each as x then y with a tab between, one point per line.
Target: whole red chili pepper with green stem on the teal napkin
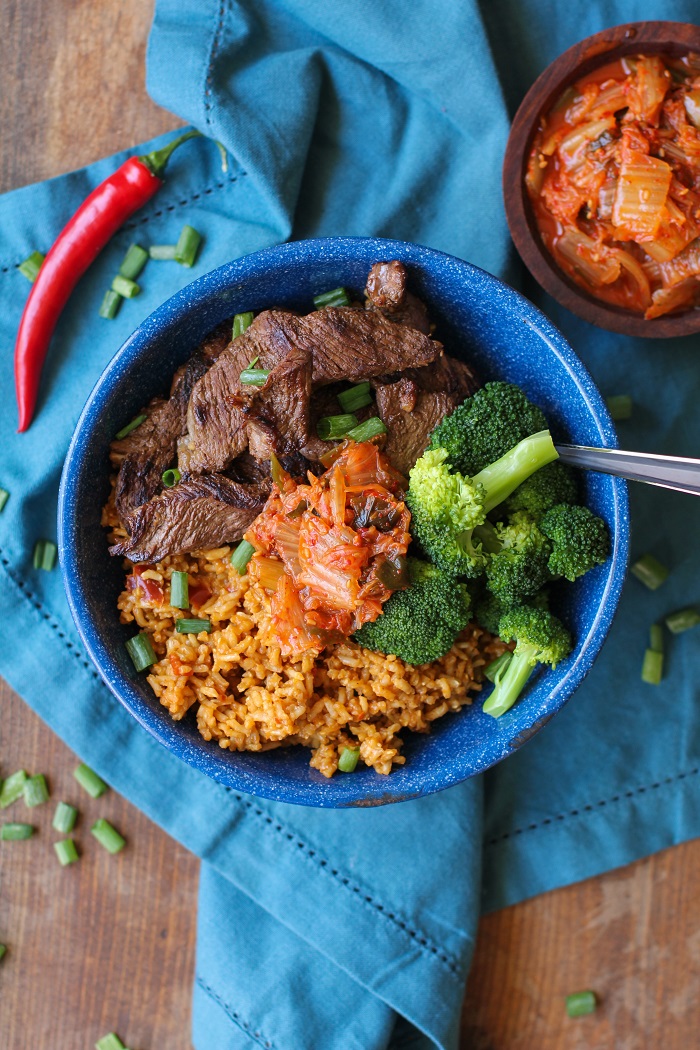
84	237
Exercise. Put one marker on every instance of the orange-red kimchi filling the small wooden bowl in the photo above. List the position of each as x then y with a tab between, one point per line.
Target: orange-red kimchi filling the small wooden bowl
614	181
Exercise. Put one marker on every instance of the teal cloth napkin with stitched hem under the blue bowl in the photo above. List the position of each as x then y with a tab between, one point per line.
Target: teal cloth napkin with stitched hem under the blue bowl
356	930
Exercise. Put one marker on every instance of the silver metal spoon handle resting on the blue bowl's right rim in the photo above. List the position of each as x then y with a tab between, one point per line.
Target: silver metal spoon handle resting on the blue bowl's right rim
669	472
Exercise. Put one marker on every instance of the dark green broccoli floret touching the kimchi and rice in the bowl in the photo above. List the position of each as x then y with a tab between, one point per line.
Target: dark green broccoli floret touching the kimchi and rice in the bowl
420	624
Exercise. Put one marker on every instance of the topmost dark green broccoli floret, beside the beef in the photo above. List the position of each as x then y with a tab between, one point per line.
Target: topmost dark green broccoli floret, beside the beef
486	426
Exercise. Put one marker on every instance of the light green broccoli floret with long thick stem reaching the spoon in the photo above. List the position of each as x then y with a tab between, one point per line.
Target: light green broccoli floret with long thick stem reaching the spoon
449	510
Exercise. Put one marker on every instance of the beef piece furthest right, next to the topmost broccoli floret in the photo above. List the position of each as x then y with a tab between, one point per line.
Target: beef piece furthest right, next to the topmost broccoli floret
413	406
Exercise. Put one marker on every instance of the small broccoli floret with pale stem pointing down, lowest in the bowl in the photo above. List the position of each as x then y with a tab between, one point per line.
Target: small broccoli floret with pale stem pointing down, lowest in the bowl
541	639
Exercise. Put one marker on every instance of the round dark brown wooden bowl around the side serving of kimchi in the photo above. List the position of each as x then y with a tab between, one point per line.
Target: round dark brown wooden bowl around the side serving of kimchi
669	38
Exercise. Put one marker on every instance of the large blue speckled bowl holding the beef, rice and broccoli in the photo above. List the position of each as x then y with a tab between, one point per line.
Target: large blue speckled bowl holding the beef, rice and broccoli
478	318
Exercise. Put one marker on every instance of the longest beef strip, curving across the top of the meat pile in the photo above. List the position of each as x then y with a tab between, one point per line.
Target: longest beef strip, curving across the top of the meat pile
343	343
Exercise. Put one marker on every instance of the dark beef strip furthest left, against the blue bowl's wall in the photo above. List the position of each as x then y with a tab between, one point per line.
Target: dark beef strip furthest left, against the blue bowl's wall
151	449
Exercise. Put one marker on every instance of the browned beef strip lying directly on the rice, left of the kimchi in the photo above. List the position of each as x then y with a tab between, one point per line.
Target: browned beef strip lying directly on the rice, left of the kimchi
198	514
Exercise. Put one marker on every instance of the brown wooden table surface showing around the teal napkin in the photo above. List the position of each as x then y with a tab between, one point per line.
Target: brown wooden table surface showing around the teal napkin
109	944
